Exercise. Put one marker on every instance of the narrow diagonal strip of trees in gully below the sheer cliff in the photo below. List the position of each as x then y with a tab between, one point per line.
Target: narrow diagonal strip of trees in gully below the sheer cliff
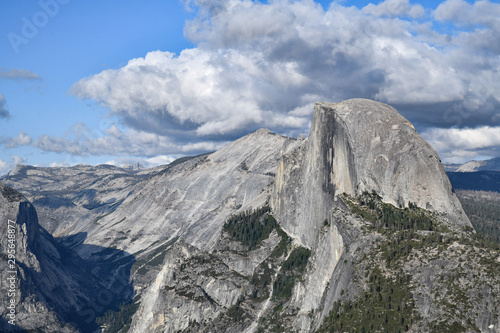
291	270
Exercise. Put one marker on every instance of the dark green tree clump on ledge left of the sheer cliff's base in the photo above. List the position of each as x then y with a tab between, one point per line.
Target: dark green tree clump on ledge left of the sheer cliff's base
251	228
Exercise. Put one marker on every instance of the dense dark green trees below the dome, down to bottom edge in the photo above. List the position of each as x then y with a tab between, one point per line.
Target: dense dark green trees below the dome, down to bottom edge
386	304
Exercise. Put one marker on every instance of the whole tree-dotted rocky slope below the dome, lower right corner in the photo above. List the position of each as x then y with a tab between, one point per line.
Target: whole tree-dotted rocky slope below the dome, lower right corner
412	240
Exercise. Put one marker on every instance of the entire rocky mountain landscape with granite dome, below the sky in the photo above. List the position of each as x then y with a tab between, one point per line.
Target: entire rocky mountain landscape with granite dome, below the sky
354	229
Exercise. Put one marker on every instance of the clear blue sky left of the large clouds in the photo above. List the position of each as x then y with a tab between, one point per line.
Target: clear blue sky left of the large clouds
82	38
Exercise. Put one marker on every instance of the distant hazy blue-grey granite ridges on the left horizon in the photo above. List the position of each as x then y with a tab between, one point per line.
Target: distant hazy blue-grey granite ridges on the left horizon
65	197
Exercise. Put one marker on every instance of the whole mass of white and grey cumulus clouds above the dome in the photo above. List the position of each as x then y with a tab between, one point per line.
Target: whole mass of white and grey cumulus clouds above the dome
264	64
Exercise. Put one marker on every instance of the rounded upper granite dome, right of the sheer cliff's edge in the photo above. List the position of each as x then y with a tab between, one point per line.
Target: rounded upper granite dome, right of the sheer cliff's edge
370	146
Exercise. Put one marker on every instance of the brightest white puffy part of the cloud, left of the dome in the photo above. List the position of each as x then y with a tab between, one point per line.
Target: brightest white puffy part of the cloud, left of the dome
219	93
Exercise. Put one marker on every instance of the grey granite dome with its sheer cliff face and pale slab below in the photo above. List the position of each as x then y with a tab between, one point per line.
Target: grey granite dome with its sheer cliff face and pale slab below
355	146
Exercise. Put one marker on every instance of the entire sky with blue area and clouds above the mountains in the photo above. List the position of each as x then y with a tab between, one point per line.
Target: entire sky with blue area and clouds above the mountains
127	81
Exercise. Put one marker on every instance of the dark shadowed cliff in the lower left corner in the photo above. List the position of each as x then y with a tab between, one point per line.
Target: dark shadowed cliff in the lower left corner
55	290
